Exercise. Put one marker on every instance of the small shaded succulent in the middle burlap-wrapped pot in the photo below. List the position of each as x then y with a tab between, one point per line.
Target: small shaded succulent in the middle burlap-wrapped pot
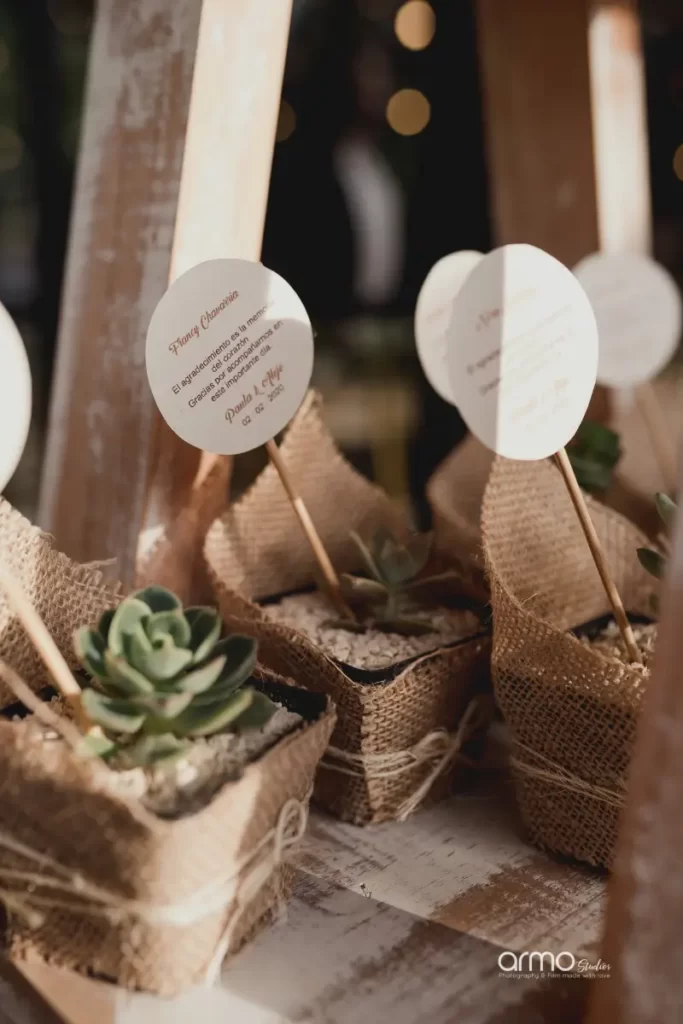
390	596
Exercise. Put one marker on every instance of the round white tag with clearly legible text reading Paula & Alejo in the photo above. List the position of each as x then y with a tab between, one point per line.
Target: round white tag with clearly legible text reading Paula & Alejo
230	356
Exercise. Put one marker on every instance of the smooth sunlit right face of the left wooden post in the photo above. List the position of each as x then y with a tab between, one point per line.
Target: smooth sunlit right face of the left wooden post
224	194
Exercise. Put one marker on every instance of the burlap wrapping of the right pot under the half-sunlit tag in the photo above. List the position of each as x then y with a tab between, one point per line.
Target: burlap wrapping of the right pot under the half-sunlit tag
573	714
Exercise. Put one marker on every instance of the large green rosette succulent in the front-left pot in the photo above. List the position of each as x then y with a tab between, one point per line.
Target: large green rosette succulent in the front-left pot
163	676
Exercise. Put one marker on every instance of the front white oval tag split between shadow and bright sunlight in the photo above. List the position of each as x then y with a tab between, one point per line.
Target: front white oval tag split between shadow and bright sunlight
523	353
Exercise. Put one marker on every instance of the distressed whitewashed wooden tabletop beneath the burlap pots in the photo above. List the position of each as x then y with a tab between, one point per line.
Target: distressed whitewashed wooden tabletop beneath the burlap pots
395	923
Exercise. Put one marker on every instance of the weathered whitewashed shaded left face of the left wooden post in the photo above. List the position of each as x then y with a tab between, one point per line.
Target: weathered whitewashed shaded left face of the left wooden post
102	416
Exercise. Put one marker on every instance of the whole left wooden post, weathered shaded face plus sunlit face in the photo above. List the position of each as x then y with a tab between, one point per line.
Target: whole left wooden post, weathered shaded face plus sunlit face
112	468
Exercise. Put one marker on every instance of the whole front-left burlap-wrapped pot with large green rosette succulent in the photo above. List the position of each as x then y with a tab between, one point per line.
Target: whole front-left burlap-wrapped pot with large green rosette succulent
145	832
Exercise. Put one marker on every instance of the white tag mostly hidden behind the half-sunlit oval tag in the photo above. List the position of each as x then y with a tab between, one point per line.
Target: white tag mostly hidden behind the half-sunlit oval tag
433	316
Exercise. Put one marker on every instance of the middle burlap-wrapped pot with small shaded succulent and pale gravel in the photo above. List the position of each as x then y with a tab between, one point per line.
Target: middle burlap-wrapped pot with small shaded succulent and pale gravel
404	663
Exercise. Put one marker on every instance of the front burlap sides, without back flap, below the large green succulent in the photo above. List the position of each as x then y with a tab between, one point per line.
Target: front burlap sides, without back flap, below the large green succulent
57	805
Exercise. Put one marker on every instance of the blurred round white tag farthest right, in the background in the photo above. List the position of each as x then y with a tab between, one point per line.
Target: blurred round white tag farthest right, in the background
637	306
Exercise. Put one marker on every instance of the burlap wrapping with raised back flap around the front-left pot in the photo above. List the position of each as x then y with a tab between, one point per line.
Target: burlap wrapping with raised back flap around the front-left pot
92	880
